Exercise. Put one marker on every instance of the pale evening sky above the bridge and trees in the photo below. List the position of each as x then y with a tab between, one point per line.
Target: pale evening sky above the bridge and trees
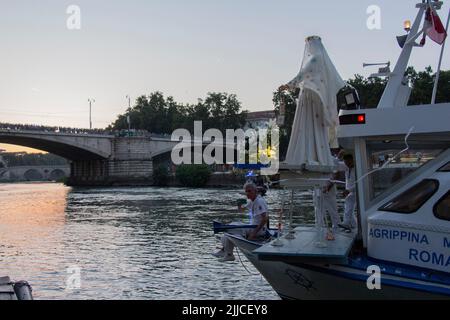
184	49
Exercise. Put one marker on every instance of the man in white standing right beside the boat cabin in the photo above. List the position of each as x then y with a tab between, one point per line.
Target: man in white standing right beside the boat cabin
349	194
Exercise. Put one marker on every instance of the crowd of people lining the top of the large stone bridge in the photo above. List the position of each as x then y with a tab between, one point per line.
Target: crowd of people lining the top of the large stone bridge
13	127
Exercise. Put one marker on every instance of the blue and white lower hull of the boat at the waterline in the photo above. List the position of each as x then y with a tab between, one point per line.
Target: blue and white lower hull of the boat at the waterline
335	282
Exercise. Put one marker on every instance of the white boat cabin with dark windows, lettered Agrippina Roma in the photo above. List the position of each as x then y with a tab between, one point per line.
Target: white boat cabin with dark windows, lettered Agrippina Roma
403	205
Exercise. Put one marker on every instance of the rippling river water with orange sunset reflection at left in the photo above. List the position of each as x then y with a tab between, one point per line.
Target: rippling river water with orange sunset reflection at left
126	243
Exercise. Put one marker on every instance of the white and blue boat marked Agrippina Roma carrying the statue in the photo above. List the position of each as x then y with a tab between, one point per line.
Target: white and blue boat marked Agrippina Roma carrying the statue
401	248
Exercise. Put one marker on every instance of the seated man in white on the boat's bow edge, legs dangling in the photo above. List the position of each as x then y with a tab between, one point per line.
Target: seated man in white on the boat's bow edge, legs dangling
259	217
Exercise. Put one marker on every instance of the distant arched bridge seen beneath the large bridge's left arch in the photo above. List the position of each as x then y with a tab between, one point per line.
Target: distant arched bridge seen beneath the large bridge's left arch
34	173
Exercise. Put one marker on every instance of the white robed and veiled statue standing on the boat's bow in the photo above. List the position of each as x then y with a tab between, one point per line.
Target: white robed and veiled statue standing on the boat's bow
316	119
